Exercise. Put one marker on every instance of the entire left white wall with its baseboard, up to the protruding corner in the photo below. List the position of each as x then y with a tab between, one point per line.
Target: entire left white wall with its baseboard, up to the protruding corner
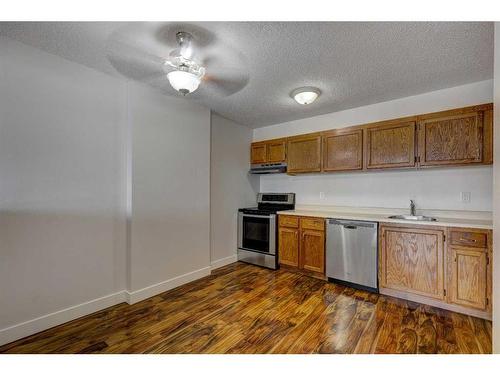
104	191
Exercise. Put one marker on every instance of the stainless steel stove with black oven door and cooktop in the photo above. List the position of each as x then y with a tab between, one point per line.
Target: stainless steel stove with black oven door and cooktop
257	229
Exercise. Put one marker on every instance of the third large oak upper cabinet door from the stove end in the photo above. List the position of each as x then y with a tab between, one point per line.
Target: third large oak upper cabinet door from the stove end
390	145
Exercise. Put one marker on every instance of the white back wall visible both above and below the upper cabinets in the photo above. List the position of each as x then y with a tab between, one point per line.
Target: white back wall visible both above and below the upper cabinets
432	189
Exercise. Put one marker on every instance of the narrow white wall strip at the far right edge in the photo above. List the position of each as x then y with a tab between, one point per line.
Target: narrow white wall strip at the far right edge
496	200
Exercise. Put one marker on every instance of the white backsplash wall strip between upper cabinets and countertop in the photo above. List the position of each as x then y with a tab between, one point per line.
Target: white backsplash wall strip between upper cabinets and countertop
439	189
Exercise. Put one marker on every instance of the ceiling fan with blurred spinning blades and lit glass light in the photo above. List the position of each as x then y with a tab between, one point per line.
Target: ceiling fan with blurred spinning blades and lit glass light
187	58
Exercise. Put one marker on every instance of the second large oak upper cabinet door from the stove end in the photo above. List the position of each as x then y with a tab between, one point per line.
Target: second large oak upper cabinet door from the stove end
343	150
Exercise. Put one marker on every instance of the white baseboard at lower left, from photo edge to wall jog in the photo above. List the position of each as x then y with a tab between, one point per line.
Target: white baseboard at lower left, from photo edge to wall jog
42	323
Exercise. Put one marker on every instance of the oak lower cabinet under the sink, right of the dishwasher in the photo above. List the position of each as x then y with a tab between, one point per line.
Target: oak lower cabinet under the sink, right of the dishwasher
424	264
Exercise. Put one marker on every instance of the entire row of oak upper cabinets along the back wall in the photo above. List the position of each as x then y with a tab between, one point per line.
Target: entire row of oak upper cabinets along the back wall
462	136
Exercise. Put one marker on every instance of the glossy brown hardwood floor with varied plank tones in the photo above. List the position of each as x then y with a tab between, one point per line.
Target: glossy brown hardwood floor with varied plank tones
247	309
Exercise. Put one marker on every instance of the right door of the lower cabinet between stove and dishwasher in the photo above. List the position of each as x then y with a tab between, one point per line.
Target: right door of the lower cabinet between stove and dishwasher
312	250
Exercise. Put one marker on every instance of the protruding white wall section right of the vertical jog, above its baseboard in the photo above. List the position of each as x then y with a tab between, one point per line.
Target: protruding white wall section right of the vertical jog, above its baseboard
170	226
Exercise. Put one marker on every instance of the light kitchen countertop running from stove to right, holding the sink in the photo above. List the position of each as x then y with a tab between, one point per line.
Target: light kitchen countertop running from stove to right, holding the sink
464	219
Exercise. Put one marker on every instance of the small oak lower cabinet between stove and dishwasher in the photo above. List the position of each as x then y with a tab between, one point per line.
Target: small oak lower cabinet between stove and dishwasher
301	244
